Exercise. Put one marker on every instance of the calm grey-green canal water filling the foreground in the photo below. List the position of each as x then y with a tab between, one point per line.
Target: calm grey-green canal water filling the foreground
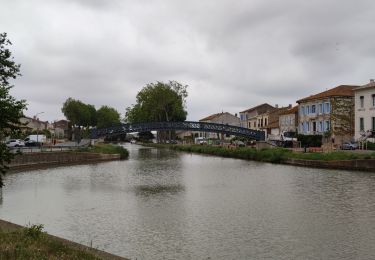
163	204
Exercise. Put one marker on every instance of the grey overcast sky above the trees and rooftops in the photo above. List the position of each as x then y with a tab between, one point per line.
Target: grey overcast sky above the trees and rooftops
232	54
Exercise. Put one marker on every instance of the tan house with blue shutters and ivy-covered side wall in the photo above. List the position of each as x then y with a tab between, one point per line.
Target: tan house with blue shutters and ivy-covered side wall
330	112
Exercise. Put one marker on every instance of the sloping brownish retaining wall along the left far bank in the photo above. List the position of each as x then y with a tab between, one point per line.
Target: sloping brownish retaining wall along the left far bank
49	159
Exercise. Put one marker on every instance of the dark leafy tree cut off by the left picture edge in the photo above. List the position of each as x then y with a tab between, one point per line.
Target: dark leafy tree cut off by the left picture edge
10	109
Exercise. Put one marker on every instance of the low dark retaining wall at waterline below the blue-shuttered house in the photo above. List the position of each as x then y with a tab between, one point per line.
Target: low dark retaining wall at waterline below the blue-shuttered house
358	164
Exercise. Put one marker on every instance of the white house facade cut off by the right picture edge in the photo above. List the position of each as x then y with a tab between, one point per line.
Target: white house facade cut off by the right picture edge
365	111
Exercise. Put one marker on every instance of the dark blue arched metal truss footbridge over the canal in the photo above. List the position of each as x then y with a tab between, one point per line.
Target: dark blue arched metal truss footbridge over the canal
185	126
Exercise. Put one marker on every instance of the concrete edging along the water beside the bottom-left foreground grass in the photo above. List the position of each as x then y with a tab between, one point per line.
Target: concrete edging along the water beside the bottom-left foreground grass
6	226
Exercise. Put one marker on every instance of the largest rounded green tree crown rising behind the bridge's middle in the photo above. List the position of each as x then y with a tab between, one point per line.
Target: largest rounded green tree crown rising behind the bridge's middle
158	102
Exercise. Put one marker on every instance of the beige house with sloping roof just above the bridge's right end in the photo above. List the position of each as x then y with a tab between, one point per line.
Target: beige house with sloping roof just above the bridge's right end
248	118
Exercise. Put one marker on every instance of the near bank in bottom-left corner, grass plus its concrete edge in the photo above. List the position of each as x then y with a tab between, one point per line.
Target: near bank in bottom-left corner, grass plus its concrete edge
17	242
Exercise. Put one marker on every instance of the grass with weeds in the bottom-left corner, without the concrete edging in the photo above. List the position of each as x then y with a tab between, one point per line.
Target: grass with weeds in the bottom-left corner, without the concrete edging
32	243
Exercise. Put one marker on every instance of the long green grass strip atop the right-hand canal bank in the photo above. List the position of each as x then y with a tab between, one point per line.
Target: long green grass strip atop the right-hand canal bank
276	155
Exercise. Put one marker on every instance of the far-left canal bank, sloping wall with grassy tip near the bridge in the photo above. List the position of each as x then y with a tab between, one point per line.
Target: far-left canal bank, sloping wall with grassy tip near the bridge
95	154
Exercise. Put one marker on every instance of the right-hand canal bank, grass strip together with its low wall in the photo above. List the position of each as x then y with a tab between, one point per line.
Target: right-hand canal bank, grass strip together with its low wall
331	160
